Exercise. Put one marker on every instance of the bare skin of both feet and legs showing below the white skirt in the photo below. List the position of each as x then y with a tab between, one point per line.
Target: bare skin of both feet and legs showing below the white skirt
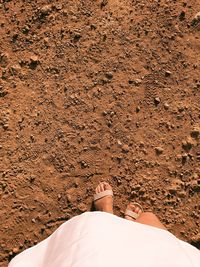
105	204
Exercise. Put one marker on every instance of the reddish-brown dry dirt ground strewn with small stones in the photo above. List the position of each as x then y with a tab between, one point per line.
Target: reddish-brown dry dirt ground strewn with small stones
91	91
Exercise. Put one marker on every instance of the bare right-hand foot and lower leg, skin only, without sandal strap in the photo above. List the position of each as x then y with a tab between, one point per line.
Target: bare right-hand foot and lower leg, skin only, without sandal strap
147	218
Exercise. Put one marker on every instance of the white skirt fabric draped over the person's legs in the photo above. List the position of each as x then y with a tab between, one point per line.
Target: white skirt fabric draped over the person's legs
98	239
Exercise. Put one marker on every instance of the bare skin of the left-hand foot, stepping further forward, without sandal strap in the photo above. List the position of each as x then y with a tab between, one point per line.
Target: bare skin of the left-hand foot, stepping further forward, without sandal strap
105	203
